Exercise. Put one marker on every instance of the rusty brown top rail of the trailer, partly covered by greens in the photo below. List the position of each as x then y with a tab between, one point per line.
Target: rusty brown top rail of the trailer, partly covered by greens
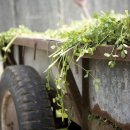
45	44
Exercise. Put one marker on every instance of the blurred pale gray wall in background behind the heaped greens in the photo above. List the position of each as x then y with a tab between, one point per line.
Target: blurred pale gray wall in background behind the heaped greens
40	15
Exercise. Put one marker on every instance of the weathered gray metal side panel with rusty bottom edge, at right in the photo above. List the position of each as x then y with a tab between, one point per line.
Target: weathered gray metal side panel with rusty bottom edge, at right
112	100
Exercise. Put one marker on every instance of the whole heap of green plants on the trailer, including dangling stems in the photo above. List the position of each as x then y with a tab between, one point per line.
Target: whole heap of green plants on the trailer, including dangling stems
81	37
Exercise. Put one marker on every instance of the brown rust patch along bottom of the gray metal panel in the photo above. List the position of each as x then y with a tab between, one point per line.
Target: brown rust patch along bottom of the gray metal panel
98	112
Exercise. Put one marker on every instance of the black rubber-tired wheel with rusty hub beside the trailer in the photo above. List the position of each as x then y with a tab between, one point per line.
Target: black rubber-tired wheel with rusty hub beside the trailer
24	102
